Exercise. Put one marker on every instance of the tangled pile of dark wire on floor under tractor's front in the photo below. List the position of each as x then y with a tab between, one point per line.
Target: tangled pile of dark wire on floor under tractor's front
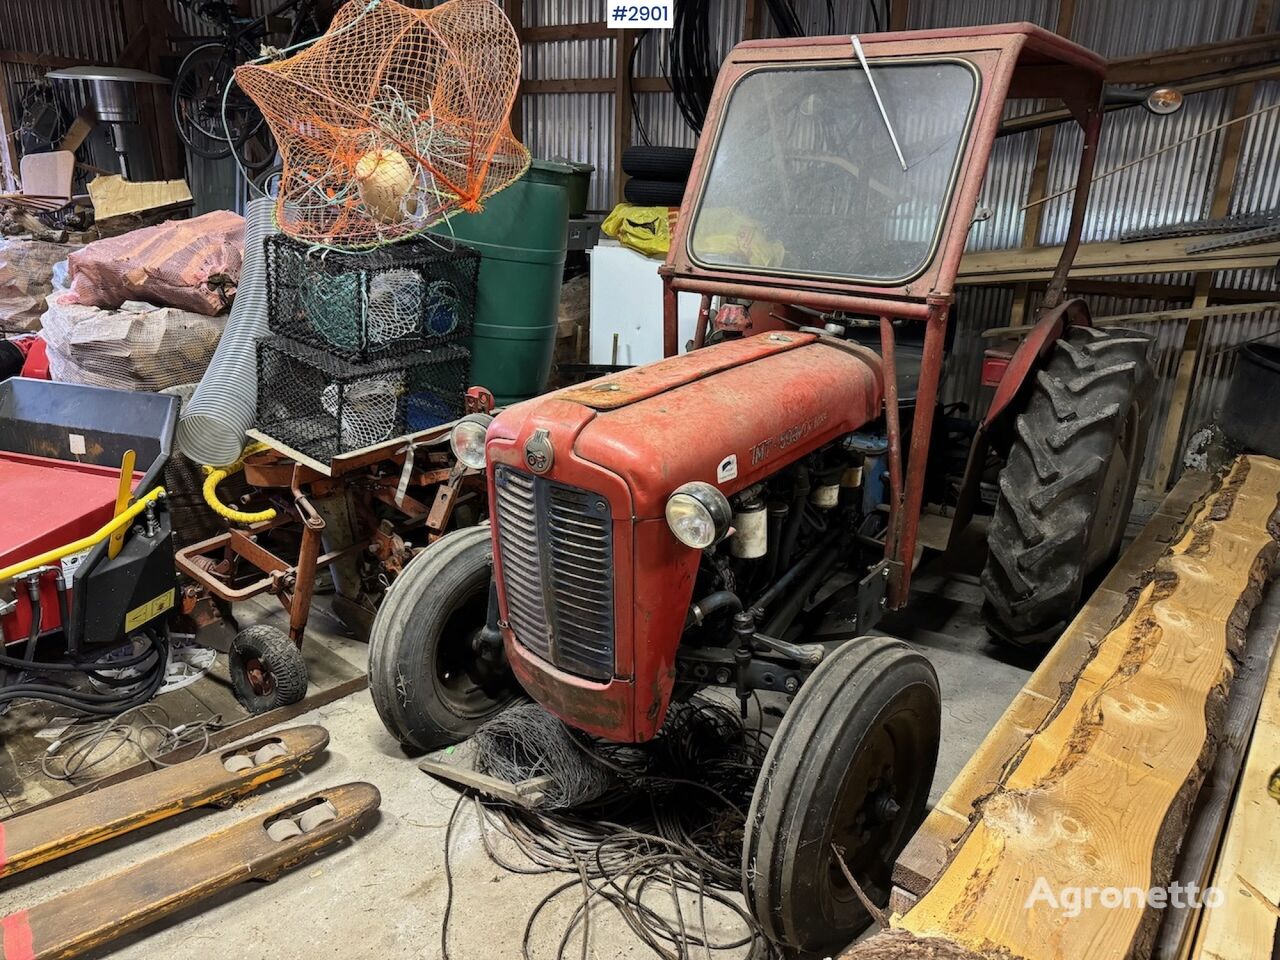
648	824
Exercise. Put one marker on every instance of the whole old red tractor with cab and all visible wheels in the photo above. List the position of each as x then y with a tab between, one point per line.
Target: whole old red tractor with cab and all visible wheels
739	515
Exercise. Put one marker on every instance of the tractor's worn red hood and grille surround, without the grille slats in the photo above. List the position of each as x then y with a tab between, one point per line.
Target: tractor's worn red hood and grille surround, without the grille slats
679	426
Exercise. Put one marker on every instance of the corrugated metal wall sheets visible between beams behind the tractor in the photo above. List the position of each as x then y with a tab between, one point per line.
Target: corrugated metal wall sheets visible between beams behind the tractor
579	126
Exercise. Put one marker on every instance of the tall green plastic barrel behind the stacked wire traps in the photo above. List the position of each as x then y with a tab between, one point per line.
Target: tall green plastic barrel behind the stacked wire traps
522	236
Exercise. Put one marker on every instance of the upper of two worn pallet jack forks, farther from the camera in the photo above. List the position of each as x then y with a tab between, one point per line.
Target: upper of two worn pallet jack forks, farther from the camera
218	779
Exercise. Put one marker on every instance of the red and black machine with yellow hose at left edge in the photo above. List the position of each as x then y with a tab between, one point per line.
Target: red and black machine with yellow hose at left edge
86	554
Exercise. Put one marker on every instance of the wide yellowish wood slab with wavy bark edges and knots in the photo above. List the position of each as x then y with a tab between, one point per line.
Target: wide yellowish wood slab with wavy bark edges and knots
1100	796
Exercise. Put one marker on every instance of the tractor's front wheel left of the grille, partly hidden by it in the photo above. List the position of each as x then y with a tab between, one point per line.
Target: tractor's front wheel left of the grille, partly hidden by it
432	680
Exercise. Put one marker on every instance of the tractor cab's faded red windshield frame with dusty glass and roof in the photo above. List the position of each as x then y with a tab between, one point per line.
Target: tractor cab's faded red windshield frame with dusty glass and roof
843	173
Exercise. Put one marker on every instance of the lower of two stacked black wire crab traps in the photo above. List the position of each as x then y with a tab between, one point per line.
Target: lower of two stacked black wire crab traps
323	406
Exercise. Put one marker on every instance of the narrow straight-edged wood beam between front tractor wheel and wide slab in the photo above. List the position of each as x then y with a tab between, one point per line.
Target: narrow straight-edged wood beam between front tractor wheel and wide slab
930	849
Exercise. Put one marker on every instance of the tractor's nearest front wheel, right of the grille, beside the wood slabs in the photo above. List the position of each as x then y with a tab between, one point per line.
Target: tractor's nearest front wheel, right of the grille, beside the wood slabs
851	766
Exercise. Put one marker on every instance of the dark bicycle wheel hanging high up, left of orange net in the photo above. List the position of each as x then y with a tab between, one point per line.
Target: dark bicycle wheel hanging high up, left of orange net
198	104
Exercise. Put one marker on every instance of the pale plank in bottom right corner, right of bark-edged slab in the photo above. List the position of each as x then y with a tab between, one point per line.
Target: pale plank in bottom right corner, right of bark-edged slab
1249	866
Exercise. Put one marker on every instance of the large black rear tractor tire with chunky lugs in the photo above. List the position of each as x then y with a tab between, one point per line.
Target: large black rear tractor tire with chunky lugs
1068	487
